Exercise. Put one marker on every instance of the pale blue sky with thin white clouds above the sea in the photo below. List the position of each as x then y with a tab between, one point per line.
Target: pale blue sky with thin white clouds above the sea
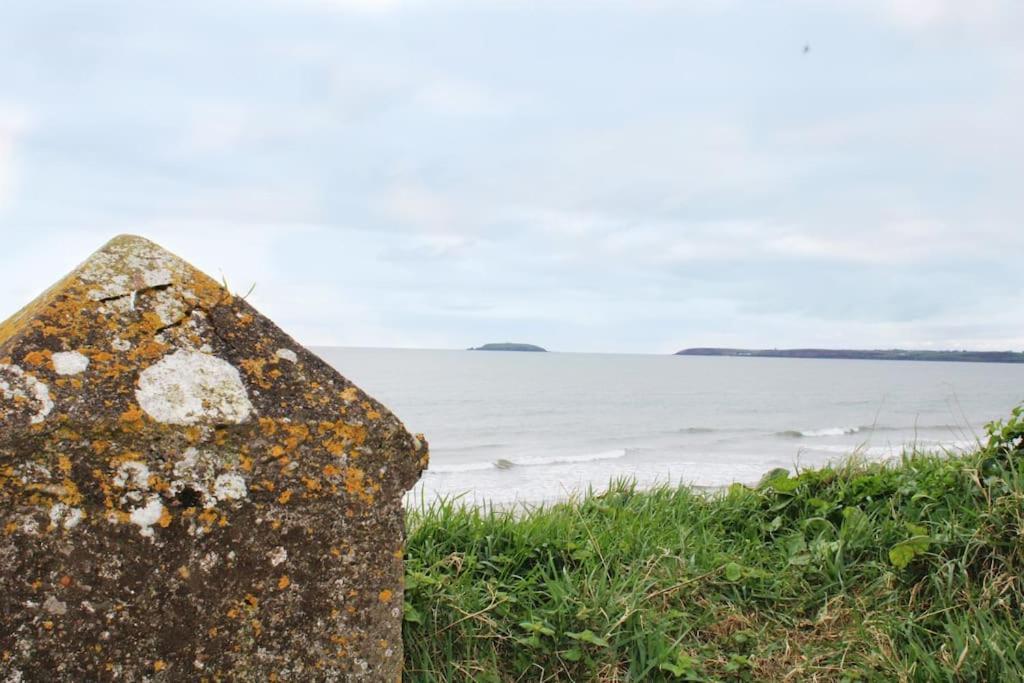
591	176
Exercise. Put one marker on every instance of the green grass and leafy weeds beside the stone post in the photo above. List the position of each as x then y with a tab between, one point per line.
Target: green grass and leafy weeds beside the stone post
864	573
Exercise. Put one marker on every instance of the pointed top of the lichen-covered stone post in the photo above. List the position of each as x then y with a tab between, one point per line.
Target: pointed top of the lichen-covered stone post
136	336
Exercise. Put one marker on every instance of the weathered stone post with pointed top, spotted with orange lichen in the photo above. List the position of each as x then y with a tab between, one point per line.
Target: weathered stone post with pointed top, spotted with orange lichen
187	494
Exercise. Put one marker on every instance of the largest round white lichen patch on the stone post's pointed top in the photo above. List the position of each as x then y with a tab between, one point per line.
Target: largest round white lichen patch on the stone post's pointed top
189	388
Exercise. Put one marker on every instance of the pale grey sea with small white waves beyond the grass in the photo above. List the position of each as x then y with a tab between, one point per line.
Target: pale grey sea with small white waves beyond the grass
510	428
